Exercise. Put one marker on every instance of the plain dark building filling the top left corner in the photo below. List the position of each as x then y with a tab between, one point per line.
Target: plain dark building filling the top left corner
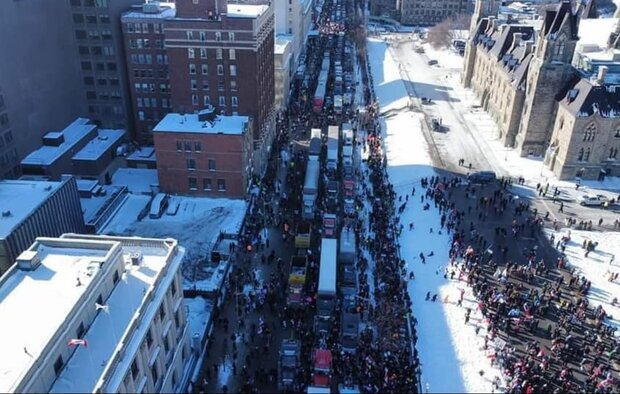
34	98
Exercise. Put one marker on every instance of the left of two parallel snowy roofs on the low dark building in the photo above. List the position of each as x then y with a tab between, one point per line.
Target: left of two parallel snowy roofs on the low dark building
73	134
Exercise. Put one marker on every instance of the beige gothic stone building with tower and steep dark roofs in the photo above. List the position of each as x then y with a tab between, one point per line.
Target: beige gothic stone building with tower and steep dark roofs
522	75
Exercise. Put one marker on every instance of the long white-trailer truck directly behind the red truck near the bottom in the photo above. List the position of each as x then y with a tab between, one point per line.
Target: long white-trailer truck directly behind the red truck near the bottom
326	297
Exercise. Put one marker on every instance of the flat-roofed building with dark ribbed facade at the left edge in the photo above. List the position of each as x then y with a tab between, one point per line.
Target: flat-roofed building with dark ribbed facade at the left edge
32	209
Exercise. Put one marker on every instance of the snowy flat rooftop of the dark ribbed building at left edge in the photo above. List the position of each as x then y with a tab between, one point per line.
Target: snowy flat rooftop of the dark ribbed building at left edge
20	198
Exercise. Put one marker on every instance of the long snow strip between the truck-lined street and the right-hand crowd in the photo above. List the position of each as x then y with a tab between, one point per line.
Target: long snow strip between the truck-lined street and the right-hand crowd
450	352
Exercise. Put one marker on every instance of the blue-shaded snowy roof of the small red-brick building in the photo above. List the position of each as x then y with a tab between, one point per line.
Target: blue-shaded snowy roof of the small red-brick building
189	123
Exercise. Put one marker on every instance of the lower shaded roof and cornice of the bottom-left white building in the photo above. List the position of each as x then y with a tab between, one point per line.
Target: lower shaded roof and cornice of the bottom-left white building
136	296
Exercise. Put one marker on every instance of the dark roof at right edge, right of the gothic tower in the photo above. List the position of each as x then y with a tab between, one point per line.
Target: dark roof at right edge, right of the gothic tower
584	99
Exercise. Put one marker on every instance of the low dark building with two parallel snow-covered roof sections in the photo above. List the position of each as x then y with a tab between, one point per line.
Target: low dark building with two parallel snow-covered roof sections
80	149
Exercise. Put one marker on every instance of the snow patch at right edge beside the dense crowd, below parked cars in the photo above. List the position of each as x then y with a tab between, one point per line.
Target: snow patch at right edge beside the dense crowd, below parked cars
596	267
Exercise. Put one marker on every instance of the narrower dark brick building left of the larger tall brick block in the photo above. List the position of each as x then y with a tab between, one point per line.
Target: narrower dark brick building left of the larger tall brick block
147	65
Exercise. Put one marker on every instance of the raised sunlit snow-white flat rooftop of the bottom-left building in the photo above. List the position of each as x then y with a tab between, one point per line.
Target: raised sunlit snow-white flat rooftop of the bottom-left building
34	304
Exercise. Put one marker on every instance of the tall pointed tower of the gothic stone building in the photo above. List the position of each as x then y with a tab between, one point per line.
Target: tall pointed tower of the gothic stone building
550	70
